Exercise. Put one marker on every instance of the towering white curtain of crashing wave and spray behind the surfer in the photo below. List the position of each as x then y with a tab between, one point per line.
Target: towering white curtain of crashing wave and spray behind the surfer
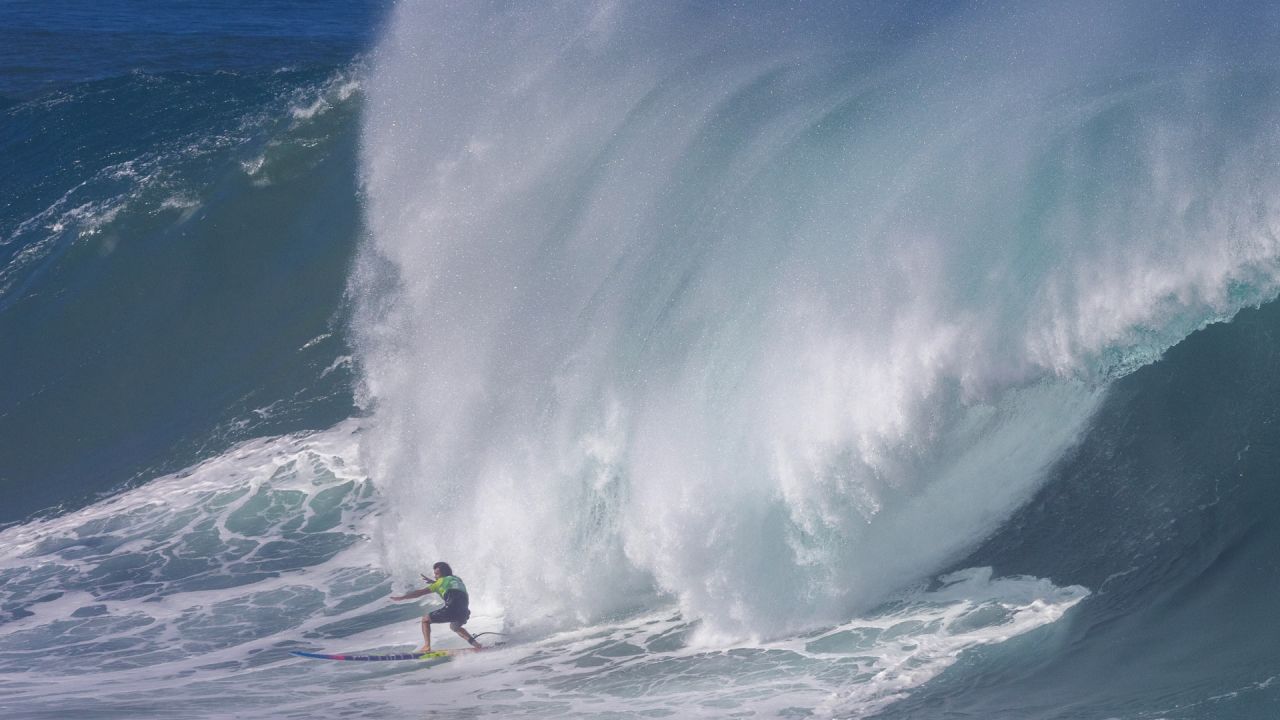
700	302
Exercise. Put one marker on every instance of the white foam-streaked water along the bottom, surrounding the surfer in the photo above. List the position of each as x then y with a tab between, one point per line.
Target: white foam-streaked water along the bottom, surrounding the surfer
193	634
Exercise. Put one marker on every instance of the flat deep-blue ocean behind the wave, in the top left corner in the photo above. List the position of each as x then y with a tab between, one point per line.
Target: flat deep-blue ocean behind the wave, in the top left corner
45	47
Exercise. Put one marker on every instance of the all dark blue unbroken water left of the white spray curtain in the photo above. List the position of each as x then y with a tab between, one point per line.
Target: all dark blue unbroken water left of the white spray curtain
124	349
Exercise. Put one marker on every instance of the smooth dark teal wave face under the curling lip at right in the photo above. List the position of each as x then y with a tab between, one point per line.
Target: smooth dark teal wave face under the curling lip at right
1168	511
